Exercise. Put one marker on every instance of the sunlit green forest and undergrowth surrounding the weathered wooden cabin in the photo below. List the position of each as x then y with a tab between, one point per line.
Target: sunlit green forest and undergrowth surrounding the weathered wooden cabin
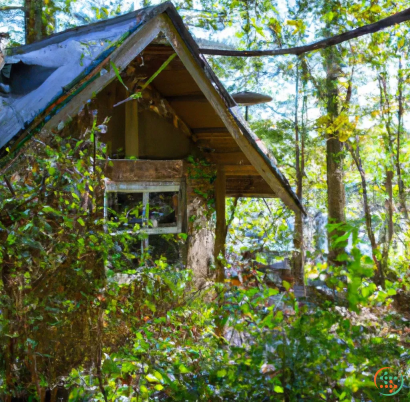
86	317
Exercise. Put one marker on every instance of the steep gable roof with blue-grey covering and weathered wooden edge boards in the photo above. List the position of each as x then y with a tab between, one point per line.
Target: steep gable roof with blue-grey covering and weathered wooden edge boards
75	64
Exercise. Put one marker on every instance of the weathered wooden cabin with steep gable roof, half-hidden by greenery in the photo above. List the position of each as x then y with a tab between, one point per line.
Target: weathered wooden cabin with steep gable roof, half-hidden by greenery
176	139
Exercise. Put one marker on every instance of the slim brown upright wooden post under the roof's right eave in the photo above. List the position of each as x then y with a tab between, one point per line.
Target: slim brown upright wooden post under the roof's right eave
220	232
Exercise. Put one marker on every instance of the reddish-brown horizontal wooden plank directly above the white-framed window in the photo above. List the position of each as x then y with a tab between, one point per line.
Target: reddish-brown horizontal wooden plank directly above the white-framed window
144	170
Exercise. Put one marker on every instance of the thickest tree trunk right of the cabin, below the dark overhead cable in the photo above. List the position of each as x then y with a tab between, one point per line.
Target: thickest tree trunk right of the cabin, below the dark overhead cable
334	159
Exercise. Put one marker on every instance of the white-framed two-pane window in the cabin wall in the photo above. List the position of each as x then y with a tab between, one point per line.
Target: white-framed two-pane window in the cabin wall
156	207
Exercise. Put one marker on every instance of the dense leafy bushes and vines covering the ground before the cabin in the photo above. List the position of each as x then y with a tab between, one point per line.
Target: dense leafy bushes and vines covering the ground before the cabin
80	311
